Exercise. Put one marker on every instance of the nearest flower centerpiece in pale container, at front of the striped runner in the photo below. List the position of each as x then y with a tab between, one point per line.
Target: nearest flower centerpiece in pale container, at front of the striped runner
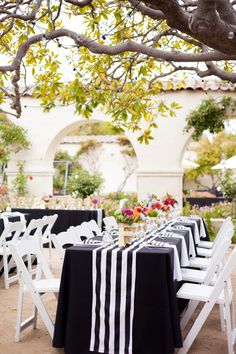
128	220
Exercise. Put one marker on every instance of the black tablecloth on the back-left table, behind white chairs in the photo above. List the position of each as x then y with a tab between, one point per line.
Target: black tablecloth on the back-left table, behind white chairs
66	218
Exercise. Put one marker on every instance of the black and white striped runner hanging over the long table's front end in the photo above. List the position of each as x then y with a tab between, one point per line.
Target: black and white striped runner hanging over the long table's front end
114	274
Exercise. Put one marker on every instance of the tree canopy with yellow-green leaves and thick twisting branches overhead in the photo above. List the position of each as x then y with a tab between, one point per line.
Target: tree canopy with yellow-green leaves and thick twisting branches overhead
112	54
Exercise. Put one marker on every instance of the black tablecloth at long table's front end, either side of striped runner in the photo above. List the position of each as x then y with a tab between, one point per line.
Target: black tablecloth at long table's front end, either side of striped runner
156	327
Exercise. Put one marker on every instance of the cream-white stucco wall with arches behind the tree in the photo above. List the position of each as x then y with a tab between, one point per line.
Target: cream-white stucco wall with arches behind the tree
159	163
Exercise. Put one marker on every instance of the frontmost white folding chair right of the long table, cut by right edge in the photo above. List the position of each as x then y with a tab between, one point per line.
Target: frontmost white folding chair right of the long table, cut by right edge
210	295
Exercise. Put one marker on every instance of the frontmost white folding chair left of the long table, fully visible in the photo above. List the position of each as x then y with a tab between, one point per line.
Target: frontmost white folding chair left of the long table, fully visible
36	287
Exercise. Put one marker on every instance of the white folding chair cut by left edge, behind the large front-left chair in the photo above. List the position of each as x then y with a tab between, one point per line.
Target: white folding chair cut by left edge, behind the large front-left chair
12	230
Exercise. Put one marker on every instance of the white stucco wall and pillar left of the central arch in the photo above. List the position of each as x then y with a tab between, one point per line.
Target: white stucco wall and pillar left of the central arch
45	132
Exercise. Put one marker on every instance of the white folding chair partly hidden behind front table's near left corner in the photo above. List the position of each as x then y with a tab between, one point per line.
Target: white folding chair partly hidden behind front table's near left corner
63	239
